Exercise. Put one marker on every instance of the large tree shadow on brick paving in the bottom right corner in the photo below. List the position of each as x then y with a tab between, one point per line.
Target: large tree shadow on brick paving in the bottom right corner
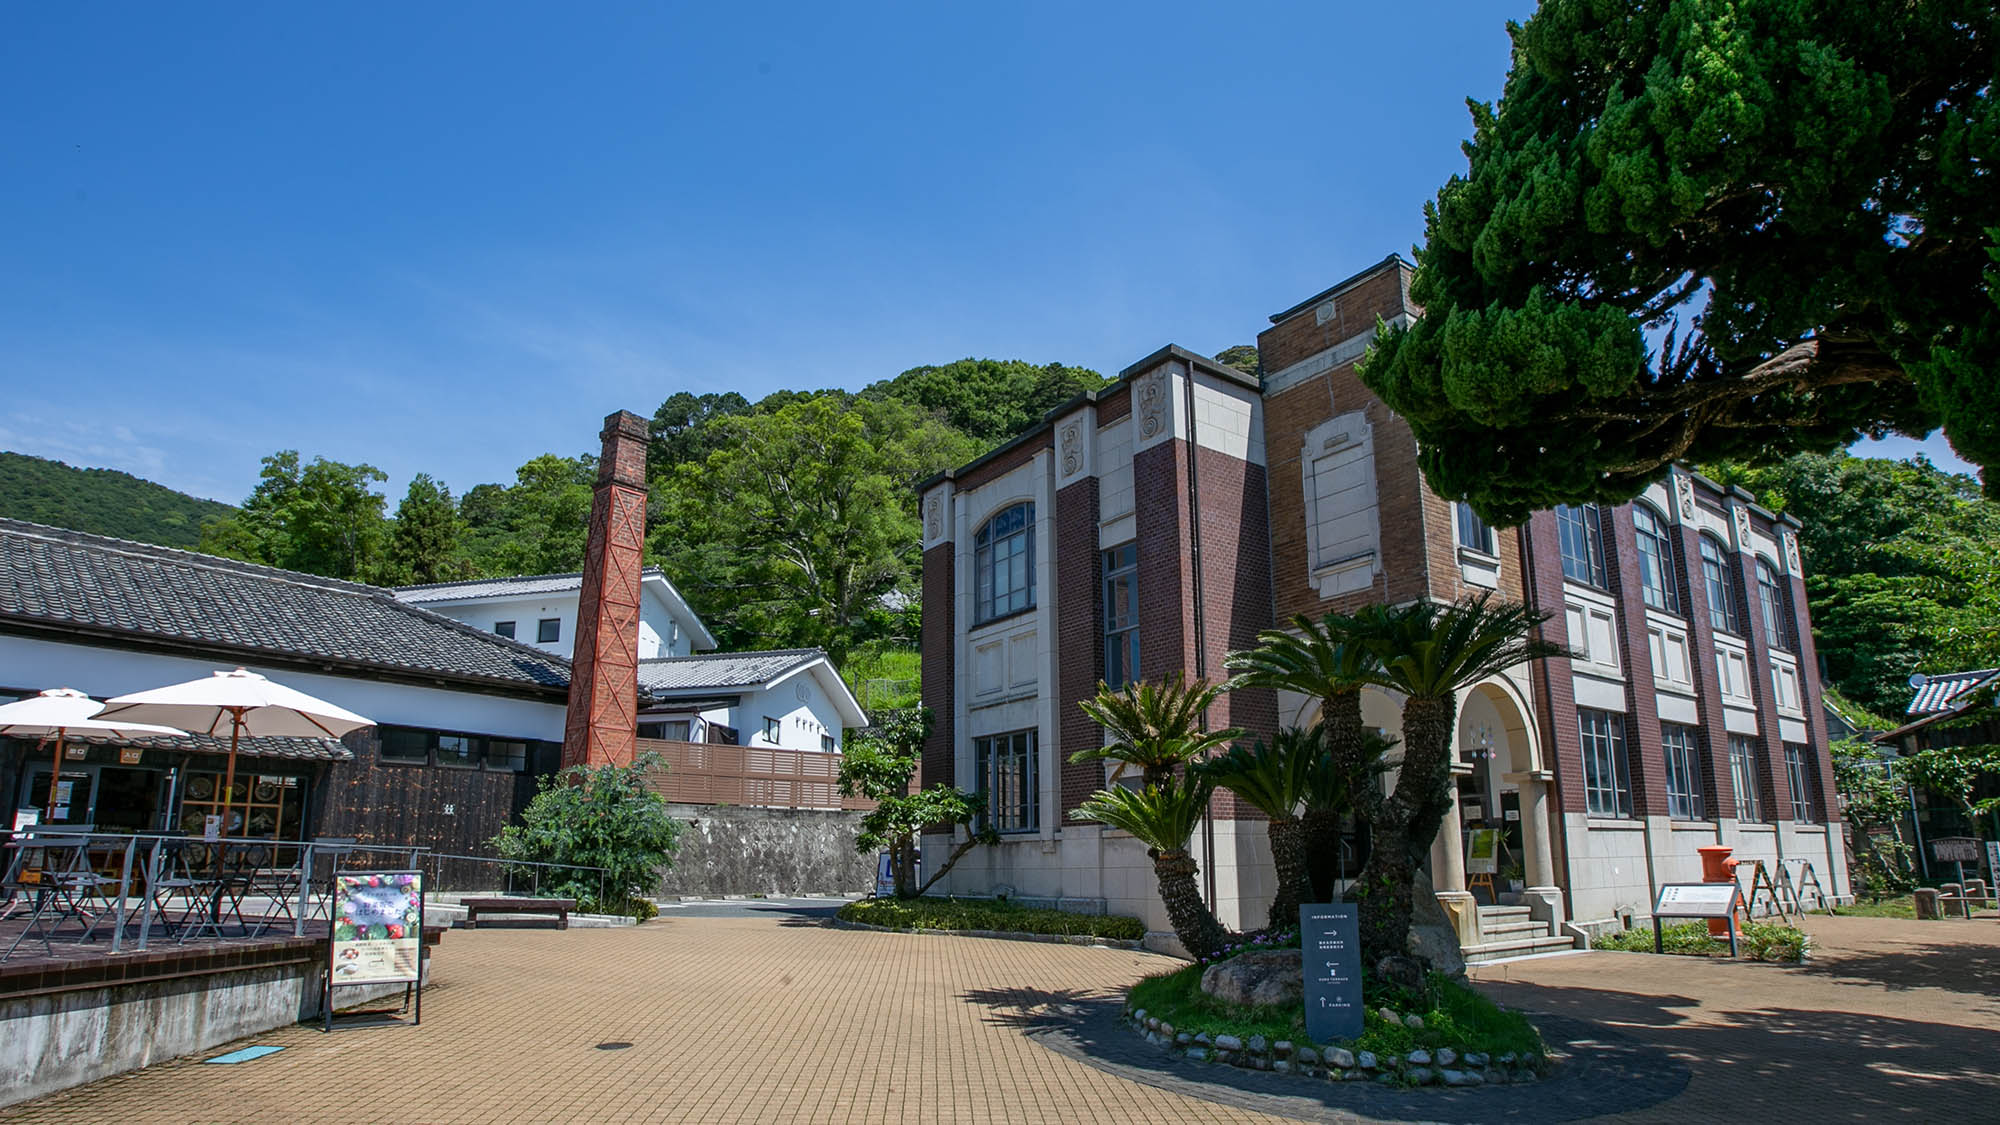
1809	1066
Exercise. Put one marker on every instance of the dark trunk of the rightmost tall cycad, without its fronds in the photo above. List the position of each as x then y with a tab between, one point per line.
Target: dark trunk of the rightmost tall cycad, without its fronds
1405	828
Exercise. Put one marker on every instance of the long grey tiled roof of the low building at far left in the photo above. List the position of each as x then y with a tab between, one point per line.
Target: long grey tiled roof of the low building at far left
63	580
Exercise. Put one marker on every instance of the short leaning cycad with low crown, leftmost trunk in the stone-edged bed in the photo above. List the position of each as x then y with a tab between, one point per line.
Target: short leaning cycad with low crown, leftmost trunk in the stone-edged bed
1165	818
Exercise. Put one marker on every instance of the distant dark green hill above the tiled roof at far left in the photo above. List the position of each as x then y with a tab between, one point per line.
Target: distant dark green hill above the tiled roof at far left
101	501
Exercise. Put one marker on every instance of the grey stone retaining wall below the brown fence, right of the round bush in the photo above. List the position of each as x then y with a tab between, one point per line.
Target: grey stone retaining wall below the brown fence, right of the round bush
731	850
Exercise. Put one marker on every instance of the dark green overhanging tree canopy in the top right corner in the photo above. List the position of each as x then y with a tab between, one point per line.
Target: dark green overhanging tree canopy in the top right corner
1701	231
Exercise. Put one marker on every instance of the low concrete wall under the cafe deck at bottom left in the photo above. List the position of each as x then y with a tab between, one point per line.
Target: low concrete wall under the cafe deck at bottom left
55	1042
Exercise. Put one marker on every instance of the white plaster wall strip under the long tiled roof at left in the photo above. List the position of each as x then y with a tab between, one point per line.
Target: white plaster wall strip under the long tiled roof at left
33	664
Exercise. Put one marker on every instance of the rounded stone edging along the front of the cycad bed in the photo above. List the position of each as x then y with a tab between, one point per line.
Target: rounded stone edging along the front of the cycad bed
1443	1066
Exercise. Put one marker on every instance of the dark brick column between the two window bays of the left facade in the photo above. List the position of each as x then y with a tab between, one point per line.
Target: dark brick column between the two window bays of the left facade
1079	616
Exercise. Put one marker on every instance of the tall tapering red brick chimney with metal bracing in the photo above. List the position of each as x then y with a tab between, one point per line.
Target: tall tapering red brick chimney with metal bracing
603	720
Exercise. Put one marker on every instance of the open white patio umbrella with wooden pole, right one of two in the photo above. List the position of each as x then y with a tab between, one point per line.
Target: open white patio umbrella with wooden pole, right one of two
243	704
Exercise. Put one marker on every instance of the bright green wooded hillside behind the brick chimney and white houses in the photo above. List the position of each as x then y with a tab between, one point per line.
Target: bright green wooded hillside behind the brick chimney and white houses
785	521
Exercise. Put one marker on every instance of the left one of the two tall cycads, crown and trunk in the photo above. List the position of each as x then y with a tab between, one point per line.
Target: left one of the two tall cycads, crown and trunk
1325	662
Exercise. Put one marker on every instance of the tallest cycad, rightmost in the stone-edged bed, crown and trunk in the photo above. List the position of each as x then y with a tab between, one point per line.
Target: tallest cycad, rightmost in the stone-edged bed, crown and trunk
1429	654
